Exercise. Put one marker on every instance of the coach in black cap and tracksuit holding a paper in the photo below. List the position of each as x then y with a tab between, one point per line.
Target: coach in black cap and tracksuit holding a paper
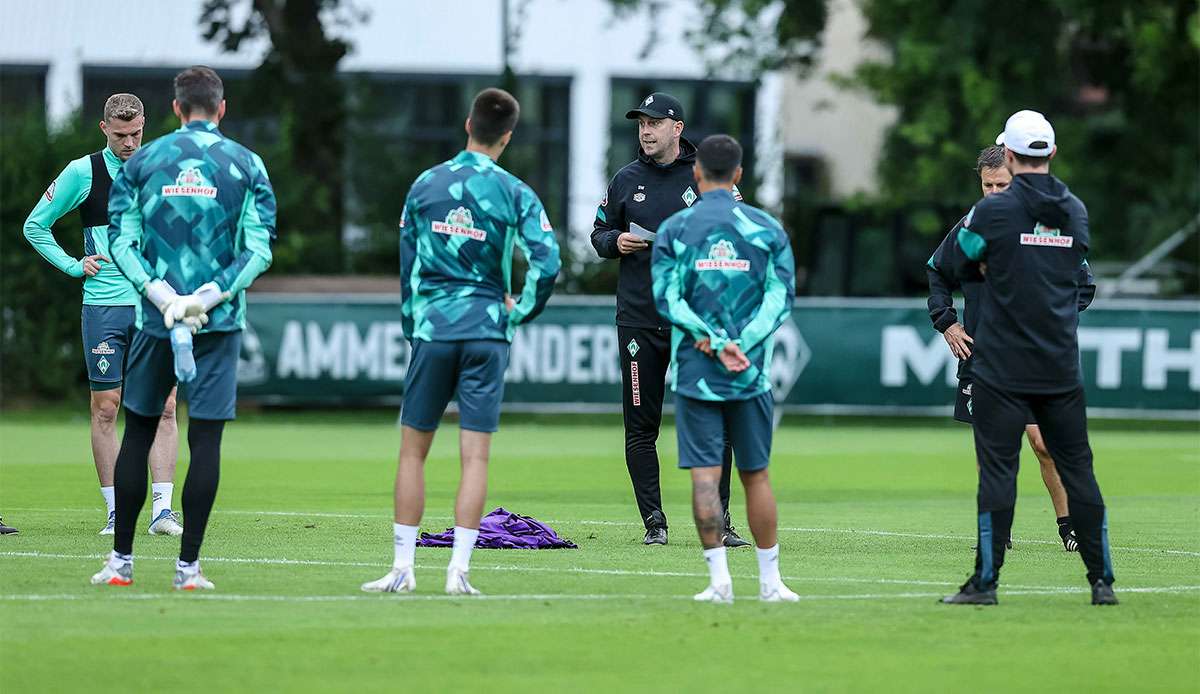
647	192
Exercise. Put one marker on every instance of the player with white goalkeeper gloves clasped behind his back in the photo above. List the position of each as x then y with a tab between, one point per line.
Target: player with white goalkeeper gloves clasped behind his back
193	219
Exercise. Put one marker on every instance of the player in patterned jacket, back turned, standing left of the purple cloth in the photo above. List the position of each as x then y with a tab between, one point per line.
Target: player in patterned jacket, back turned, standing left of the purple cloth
457	236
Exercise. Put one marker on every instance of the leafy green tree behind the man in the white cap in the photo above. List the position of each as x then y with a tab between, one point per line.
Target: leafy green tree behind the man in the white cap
1118	80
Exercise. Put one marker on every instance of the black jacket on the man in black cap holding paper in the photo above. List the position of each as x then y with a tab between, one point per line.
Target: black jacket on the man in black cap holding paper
647	194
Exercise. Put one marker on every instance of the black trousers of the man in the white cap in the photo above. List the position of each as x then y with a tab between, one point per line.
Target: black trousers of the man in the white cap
1000	420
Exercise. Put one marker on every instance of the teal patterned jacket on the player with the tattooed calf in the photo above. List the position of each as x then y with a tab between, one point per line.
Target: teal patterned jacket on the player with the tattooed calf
723	271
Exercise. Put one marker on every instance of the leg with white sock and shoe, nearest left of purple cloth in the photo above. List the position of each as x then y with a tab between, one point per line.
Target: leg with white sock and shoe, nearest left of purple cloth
475	450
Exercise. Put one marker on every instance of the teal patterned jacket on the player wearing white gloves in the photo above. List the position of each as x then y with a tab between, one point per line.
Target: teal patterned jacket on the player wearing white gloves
191	208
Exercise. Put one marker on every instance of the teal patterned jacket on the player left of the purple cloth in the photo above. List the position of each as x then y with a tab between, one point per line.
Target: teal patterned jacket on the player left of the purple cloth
457	236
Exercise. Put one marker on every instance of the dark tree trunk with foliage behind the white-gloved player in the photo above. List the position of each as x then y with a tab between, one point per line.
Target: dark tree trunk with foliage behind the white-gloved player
299	83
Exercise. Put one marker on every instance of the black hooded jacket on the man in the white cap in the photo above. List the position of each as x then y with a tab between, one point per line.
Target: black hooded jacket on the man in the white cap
1035	241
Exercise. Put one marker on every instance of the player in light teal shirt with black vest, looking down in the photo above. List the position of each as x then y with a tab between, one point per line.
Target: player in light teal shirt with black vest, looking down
110	304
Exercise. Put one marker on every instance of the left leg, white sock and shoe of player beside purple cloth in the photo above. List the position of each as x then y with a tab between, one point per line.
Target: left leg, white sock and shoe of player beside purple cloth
410	500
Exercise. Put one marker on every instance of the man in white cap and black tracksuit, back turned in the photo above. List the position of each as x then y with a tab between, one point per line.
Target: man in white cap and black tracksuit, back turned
1031	242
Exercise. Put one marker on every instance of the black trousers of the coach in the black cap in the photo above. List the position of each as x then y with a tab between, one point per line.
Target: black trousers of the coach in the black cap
645	360
